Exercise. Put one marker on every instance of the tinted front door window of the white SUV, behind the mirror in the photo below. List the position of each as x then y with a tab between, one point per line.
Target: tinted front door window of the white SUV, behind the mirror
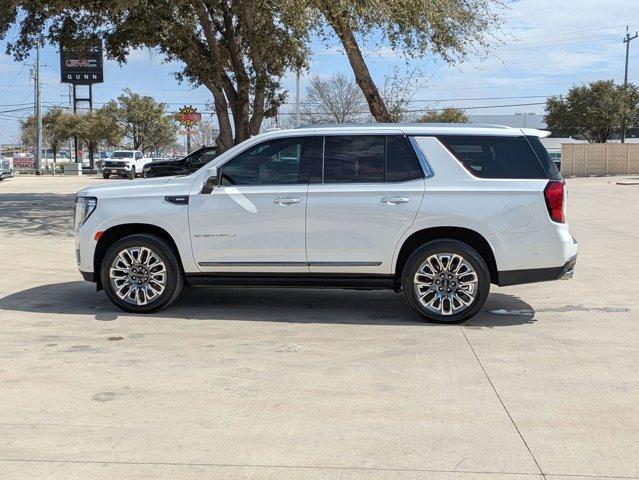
275	162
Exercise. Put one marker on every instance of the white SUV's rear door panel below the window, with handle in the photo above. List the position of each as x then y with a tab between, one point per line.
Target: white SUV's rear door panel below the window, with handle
354	228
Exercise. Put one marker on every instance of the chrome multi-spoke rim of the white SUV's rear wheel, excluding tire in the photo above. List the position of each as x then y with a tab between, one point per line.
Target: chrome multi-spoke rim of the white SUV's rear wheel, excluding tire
446	283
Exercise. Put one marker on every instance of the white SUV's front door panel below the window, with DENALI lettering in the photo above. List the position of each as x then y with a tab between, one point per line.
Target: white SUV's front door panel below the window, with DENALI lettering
250	228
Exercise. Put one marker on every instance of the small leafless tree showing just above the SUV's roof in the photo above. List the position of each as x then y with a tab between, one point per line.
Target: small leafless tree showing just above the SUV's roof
336	99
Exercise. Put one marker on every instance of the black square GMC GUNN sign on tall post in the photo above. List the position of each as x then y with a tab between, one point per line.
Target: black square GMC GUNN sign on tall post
81	62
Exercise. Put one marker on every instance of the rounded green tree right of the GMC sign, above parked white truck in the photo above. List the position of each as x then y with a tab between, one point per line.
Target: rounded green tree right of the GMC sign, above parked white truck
142	121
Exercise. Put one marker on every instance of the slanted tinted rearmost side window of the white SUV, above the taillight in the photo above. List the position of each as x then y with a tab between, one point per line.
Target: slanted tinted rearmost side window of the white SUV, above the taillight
496	157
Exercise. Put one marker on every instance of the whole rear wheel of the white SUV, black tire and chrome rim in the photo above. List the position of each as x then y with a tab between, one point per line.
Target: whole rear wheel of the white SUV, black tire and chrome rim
468	281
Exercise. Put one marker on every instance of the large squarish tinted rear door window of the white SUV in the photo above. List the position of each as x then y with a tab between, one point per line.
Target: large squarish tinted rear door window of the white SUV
354	159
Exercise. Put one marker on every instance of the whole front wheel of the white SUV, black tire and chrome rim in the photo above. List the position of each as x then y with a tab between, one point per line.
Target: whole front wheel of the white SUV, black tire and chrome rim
128	299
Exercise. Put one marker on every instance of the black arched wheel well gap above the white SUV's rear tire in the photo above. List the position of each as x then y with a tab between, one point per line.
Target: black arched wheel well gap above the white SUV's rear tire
470	237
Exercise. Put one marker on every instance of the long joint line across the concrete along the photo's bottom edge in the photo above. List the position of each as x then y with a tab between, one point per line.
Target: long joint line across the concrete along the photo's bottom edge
263	466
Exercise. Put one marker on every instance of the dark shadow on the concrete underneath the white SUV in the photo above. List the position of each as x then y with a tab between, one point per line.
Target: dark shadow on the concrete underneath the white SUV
262	304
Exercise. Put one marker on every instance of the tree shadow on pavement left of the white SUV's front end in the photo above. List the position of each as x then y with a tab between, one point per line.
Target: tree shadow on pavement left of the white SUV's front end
36	213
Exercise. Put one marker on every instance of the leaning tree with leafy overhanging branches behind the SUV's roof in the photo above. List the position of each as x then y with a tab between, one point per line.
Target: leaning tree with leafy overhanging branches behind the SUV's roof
448	29
